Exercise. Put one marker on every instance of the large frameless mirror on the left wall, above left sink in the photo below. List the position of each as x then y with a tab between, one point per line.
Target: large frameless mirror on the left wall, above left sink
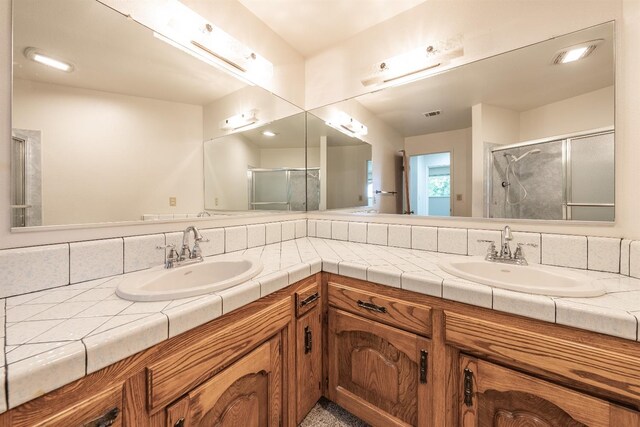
117	134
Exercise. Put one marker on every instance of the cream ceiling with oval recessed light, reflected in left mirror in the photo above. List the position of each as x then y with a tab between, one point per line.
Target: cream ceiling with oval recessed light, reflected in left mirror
110	53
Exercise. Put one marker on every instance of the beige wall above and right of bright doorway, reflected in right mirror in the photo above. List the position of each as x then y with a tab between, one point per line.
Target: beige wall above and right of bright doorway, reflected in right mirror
458	142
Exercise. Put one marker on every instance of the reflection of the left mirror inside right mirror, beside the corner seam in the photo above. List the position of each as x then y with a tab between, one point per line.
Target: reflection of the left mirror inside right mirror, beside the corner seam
340	165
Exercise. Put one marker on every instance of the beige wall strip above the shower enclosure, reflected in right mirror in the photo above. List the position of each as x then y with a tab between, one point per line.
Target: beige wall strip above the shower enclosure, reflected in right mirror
589	111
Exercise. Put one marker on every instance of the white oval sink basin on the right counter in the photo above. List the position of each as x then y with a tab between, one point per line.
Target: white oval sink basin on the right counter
532	279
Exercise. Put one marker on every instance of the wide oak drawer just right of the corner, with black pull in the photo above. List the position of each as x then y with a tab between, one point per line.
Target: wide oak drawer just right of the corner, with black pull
392	311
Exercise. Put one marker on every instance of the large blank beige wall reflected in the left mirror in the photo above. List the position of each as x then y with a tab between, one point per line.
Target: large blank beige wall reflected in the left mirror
108	157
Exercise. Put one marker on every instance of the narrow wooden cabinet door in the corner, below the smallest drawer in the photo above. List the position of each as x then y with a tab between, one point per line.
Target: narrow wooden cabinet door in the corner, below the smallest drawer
308	361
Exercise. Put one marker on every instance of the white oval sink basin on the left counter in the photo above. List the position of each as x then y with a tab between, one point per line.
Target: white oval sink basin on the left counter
160	284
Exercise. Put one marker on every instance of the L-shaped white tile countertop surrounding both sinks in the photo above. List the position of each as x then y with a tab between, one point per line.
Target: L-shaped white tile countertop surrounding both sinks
56	336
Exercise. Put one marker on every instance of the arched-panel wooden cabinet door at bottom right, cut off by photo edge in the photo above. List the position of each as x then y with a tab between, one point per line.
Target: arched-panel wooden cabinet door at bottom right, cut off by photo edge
496	396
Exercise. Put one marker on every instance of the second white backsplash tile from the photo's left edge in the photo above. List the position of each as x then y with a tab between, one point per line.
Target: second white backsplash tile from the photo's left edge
95	259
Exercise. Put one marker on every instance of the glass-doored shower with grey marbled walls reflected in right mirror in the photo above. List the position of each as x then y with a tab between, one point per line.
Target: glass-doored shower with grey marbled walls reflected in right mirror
568	178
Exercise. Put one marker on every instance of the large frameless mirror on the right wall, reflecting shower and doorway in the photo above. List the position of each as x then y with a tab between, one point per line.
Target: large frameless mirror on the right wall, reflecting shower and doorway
526	134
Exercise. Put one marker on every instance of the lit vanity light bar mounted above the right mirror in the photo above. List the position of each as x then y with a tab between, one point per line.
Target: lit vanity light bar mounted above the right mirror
414	65
